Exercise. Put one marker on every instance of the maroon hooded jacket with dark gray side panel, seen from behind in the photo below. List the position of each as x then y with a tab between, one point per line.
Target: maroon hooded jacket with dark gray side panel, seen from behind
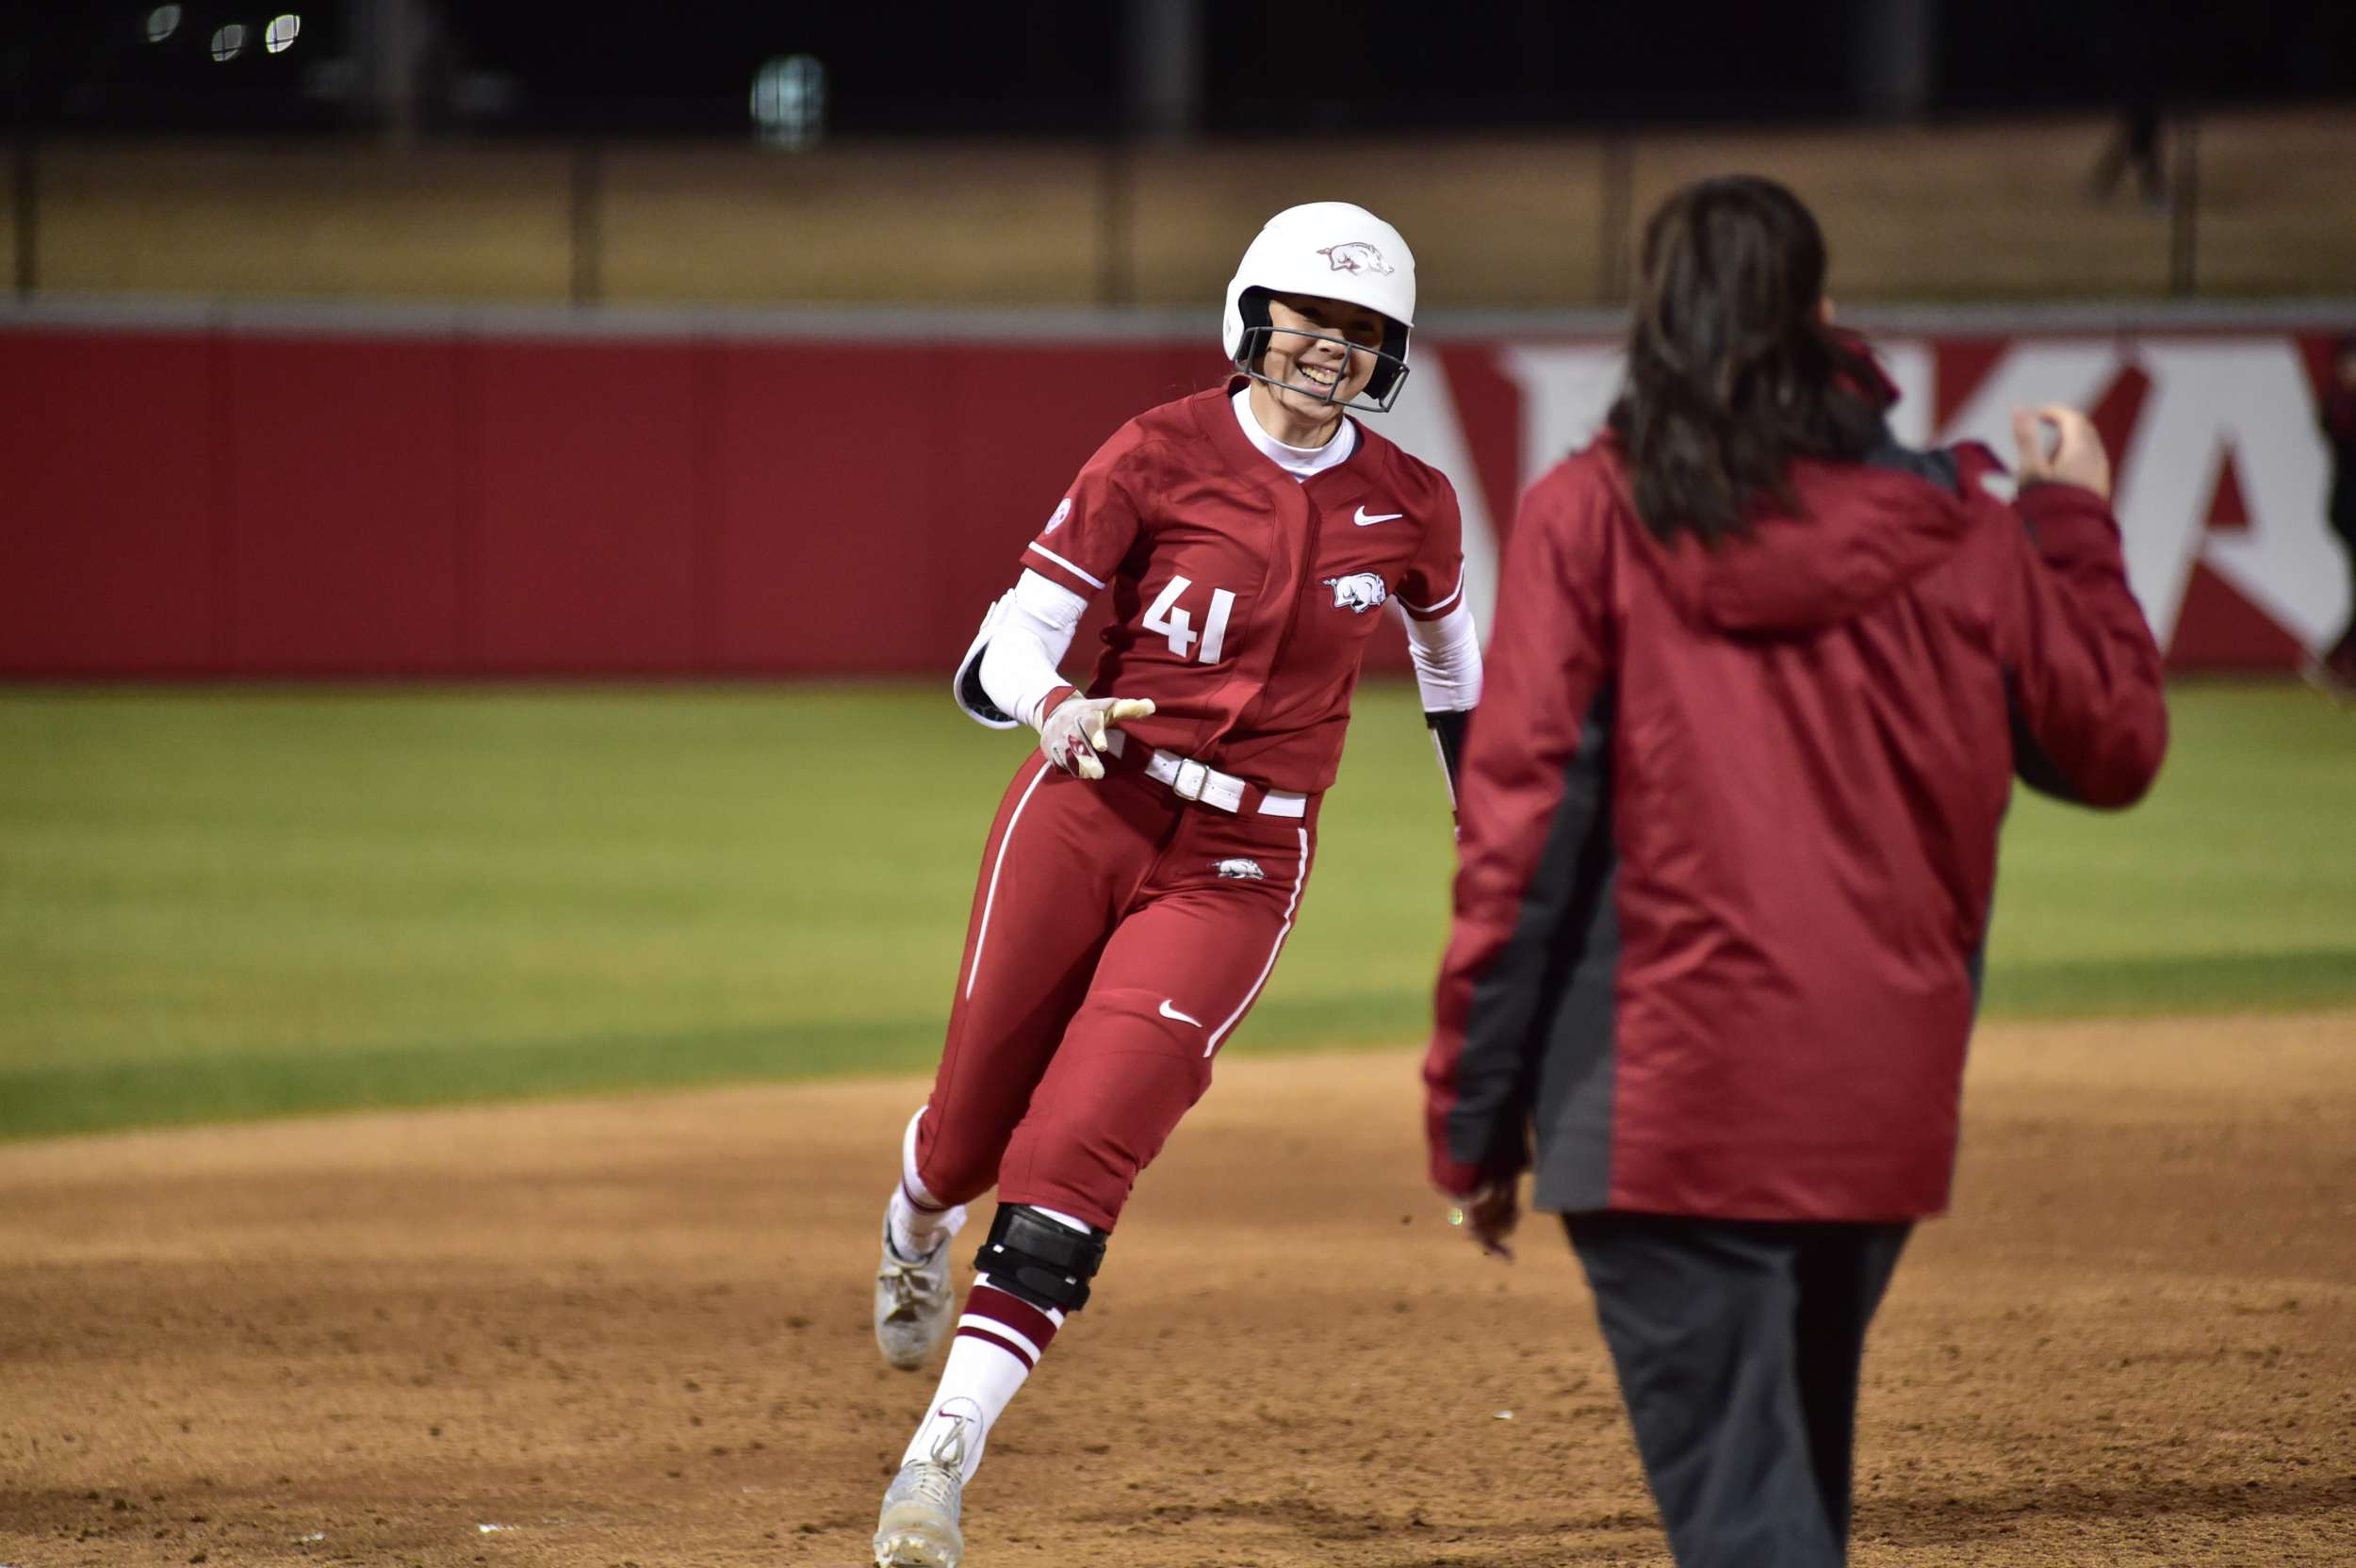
1730	830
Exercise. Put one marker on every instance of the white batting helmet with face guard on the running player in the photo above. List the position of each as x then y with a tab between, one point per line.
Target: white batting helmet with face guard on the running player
1332	251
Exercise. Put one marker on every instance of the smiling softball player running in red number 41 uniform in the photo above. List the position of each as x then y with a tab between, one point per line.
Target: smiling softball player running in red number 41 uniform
1146	868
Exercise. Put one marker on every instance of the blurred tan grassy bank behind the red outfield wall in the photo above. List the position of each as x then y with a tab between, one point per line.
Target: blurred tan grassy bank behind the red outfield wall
2258	204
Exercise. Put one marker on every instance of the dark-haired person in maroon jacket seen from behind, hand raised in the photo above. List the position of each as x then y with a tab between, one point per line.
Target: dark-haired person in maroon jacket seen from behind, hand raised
1756	698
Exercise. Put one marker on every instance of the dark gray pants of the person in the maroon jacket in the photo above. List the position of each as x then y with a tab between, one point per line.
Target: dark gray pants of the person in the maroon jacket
1738	1348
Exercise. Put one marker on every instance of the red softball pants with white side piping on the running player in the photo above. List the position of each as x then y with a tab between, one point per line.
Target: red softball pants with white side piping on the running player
1118	941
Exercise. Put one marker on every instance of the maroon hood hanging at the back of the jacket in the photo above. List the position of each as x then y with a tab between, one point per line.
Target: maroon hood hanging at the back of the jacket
1858	536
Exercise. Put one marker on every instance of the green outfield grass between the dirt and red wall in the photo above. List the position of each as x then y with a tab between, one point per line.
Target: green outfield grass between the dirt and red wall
246	903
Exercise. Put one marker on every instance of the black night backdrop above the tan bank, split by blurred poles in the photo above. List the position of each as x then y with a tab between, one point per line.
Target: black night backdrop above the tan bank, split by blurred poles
1054	67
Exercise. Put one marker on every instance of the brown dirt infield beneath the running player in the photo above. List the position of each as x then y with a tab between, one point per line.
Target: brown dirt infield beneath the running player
637	1334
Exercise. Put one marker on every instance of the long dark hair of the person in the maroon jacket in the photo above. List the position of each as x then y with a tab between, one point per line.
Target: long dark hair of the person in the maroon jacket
1730	366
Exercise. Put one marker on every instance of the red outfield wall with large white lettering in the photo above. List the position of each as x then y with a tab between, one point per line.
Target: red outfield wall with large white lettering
461	503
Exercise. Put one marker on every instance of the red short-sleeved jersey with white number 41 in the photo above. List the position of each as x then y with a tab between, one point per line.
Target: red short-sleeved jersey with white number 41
1243	599
